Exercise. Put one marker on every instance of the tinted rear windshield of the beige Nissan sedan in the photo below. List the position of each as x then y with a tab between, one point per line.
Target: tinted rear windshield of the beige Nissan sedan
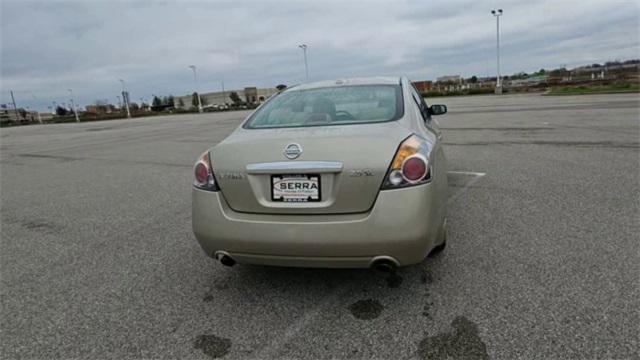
330	106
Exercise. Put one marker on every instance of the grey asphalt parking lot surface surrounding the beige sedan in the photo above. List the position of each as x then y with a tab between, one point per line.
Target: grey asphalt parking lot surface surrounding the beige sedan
543	260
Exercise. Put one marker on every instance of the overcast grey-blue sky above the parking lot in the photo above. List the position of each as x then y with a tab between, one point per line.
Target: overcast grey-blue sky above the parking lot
50	46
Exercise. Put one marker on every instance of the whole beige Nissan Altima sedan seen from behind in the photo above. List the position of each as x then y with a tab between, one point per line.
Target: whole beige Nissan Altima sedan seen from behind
346	173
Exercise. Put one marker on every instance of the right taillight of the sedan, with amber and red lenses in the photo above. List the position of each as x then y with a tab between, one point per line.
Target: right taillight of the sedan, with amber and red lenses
410	165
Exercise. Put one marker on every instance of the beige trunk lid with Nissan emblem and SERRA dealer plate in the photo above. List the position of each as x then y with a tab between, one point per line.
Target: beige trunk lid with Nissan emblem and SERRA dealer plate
347	164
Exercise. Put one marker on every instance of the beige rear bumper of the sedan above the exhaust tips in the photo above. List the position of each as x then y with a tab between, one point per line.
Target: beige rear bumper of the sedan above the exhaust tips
402	224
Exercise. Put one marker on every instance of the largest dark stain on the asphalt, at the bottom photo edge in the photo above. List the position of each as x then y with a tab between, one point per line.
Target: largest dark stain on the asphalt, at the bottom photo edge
463	342
